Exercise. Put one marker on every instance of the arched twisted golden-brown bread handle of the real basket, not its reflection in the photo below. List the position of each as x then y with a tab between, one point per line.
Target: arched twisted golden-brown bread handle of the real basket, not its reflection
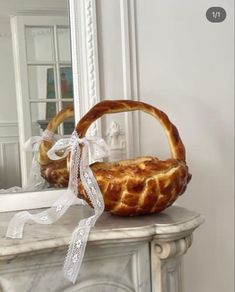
117	106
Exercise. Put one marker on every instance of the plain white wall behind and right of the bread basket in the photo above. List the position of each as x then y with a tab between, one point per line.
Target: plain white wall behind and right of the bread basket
185	67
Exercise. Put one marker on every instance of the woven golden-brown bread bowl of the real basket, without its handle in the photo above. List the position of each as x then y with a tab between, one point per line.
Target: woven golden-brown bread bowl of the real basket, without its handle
140	186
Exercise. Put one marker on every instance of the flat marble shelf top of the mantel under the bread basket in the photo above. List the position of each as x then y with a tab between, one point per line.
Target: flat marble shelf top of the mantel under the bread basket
172	222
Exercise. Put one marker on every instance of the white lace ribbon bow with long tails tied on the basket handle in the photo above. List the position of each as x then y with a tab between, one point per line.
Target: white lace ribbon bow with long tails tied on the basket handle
79	164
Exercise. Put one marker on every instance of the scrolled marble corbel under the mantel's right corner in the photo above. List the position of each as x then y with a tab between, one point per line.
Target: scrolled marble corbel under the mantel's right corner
172	249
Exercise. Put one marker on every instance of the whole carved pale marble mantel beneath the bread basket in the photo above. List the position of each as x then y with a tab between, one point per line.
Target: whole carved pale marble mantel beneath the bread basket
138	254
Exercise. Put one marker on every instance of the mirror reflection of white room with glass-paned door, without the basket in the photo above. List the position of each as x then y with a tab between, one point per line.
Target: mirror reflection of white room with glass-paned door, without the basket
40	38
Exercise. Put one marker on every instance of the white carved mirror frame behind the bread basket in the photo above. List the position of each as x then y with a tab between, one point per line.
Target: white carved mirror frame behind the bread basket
84	49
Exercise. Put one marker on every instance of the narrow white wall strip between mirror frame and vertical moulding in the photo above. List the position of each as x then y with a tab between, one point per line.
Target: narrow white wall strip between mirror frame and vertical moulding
110	58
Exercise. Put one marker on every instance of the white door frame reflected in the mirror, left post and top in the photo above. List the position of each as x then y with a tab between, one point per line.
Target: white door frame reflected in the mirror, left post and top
18	24
